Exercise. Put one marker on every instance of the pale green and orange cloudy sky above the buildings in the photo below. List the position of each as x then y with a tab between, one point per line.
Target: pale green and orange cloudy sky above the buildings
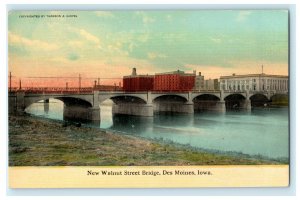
111	43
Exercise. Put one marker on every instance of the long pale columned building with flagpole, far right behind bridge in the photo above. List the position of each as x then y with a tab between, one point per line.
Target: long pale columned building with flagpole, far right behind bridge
256	82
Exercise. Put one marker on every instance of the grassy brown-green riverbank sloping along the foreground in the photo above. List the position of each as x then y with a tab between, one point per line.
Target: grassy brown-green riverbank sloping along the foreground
41	142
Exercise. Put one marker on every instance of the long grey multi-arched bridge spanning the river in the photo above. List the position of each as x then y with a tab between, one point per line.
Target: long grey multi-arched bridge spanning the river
85	105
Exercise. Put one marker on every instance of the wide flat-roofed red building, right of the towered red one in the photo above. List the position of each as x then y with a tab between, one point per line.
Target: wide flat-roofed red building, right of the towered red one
174	81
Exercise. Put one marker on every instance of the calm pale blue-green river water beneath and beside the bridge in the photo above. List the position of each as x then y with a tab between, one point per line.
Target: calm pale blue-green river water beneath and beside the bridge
262	132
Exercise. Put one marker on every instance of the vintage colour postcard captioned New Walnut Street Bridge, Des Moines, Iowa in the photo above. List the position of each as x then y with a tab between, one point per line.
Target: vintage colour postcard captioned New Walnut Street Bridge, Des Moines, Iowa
148	99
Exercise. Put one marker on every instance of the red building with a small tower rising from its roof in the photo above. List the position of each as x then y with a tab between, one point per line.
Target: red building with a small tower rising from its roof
134	82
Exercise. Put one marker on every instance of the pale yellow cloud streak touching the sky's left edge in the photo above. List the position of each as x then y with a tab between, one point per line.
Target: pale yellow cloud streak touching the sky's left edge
14	39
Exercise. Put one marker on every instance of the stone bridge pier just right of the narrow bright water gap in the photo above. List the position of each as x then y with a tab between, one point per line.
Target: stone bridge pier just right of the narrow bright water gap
137	109
